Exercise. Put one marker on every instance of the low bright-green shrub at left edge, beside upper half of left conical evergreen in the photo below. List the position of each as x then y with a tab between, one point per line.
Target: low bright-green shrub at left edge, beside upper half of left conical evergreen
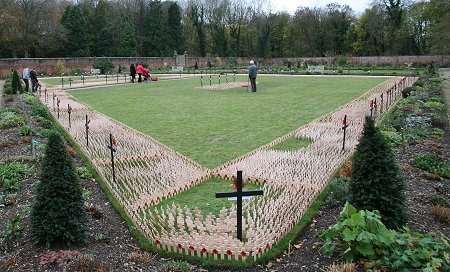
12	174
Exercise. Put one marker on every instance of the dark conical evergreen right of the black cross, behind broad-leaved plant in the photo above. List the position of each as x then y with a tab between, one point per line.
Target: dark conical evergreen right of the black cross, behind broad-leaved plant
376	183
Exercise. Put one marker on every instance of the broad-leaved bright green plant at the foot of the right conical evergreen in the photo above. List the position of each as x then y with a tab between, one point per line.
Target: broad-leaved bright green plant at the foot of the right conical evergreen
356	235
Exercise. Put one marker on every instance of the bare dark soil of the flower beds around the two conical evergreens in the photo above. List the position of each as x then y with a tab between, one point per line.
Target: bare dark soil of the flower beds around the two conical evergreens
111	246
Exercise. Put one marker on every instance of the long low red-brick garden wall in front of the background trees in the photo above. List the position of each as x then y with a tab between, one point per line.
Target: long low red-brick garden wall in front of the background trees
46	65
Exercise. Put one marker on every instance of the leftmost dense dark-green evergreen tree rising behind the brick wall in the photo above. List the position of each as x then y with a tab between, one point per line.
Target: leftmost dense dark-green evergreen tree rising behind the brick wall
78	40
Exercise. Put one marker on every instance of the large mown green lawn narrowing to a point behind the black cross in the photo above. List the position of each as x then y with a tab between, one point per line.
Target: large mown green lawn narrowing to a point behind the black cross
213	127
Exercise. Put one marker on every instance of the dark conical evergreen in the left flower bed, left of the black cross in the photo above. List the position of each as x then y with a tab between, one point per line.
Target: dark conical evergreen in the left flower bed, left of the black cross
58	214
